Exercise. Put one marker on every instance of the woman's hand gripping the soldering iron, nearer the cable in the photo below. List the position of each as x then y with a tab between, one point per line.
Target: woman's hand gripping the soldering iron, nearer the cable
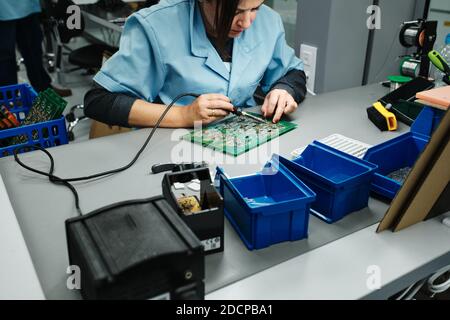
209	107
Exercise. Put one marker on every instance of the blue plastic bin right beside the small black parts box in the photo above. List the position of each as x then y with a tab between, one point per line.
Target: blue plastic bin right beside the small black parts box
268	207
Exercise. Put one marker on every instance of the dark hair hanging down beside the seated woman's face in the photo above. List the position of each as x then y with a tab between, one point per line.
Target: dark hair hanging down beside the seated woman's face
225	12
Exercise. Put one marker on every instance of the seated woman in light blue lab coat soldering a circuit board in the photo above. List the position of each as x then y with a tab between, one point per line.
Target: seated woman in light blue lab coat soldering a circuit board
221	49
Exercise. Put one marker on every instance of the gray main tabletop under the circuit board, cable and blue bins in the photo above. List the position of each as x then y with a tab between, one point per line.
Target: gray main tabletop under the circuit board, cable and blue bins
41	207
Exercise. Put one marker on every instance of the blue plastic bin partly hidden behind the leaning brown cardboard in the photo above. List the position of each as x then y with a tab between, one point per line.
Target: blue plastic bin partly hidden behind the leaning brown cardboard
401	152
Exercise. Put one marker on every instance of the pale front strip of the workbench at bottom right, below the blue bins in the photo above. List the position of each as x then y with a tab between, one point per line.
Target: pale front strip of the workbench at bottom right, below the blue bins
363	265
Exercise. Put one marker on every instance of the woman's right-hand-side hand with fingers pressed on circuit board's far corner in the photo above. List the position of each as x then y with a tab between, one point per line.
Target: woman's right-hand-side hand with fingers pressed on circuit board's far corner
277	103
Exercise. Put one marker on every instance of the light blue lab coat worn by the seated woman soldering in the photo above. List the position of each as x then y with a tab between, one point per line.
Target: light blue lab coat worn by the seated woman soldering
164	51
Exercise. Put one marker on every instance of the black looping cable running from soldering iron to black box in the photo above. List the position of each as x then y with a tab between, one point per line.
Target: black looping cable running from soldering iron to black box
66	181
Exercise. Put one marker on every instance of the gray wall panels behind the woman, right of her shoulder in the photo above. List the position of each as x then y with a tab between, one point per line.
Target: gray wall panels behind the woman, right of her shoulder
338	29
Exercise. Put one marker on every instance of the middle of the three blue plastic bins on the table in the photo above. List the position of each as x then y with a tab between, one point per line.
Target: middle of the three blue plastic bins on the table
340	181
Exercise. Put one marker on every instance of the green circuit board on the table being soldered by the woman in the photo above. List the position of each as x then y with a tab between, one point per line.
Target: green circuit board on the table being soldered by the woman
236	135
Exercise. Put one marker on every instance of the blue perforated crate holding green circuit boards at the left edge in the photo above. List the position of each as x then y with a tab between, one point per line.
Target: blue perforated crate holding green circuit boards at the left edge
19	99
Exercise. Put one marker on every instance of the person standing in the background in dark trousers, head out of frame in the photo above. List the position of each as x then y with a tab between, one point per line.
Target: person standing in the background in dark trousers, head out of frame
19	24
